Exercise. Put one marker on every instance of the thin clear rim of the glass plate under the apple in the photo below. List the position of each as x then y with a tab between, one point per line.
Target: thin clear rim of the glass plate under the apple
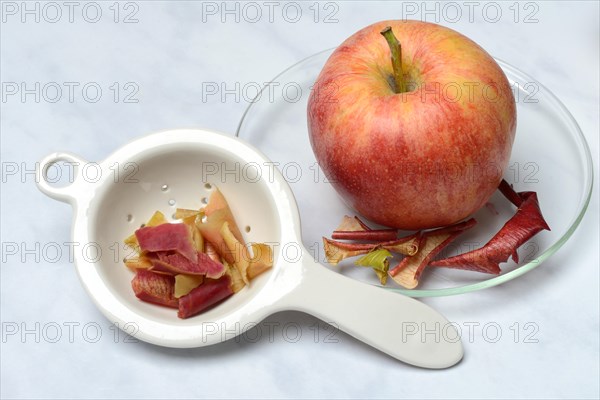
523	269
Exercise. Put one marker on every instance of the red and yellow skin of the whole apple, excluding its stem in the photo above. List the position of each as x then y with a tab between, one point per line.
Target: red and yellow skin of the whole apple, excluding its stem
420	159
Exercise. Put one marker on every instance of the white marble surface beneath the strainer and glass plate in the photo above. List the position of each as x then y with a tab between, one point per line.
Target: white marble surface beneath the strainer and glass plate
171	54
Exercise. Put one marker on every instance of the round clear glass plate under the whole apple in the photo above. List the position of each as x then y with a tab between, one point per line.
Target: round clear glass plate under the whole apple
550	156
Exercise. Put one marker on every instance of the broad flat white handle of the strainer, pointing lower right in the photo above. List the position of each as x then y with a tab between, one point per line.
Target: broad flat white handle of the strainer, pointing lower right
400	326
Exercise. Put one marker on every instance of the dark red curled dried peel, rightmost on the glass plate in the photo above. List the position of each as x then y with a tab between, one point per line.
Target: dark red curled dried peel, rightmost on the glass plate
527	222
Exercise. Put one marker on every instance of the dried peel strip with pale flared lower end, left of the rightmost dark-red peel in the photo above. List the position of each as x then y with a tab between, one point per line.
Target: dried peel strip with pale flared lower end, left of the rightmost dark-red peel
409	270
